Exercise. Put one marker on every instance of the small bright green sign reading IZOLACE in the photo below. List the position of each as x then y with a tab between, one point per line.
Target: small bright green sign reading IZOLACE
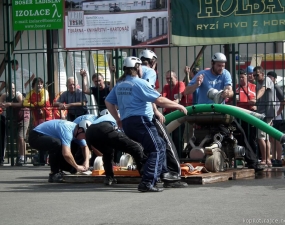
38	14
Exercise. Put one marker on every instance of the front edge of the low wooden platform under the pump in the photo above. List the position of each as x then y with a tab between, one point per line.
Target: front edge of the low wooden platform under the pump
204	178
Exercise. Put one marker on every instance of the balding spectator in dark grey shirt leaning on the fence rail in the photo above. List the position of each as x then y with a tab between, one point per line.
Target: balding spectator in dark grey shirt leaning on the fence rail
72	100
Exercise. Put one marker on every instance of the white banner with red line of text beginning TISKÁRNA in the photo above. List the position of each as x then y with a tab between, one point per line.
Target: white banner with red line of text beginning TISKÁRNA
117	30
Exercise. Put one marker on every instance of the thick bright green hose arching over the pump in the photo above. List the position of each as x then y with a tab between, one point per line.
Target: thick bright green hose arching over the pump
234	111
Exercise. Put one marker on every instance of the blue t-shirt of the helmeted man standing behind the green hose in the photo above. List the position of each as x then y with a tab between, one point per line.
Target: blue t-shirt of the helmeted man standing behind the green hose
211	81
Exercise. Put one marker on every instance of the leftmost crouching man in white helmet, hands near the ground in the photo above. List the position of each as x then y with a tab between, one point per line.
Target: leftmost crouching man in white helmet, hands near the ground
55	136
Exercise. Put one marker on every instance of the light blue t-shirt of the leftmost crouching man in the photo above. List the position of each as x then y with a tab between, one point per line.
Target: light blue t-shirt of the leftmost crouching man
60	129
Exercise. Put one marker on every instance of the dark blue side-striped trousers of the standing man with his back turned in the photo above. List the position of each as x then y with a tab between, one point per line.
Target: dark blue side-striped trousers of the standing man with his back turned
142	130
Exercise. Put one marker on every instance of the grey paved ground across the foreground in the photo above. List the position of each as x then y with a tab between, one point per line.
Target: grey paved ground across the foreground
27	198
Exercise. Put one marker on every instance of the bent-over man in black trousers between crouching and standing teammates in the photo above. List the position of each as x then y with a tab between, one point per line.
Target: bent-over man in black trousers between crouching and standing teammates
105	136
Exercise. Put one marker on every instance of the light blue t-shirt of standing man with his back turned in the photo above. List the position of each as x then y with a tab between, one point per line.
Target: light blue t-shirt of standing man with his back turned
133	96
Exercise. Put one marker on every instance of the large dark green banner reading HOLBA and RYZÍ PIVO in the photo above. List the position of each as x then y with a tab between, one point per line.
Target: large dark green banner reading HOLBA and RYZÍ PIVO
204	22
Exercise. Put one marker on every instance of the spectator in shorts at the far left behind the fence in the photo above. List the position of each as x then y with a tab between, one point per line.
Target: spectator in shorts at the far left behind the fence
18	119
